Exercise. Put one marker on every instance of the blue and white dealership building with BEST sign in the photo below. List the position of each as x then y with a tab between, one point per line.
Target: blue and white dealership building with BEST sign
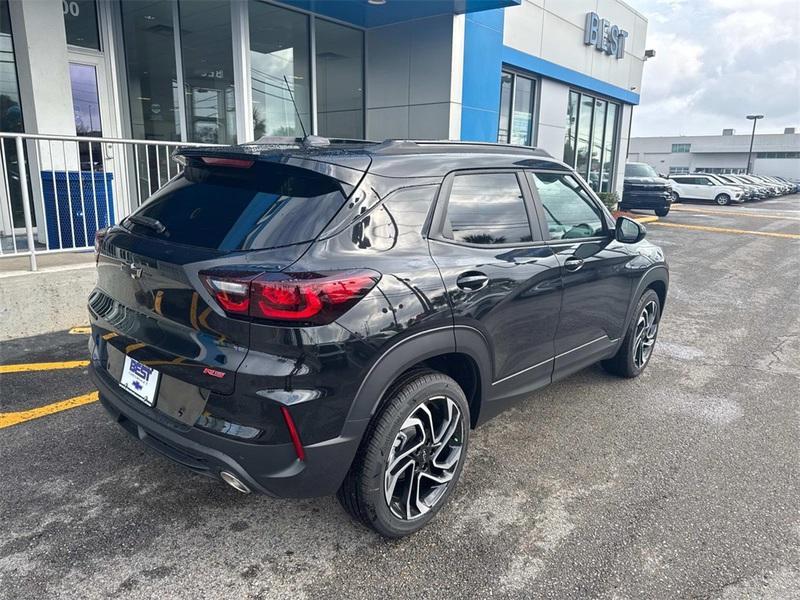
563	75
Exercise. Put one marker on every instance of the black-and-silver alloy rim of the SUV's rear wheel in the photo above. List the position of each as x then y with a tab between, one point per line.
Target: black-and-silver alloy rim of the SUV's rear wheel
423	458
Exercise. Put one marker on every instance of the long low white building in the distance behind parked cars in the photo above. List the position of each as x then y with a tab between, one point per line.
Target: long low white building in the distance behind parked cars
776	154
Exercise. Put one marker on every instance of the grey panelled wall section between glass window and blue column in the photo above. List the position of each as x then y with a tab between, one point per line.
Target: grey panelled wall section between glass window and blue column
409	72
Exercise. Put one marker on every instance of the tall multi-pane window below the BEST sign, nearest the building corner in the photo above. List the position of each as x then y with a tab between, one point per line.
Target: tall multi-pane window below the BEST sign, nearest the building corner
590	141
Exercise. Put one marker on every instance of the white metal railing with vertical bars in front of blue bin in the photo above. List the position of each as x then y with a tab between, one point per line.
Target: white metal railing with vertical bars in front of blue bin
56	191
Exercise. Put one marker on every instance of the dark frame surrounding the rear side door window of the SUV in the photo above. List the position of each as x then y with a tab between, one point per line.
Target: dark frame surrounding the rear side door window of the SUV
442	201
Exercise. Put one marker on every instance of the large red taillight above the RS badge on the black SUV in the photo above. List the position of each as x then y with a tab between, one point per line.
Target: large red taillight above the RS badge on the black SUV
308	298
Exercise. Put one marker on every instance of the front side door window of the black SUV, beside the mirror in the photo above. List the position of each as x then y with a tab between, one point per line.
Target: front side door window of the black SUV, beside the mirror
569	210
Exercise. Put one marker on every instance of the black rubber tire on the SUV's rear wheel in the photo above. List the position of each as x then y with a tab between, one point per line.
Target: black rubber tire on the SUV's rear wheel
362	492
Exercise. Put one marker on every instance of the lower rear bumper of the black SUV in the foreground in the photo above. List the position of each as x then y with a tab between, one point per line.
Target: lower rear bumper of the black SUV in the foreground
274	470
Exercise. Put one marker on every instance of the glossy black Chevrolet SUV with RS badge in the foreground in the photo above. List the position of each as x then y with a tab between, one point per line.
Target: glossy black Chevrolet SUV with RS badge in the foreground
320	317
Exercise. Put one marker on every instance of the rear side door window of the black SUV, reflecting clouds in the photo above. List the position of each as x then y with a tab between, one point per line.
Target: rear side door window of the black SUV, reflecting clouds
487	209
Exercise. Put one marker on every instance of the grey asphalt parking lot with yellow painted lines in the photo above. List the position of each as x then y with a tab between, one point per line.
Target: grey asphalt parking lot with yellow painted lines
681	483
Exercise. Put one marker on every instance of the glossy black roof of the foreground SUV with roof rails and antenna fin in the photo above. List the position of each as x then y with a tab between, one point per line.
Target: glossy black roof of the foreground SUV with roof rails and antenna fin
391	158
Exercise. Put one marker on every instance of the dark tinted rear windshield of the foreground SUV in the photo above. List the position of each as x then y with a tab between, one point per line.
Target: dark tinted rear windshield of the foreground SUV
224	208
